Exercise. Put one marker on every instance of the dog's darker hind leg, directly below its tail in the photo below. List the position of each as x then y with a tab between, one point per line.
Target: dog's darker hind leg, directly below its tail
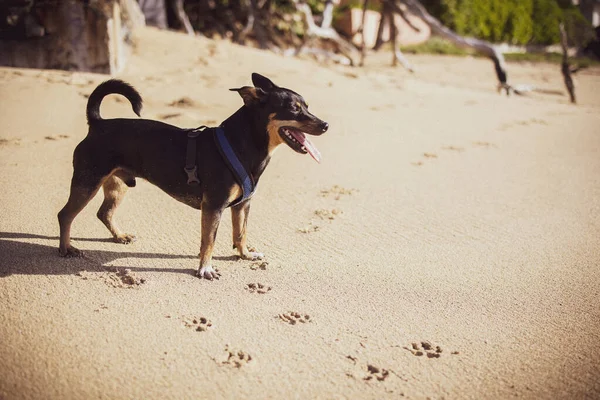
79	197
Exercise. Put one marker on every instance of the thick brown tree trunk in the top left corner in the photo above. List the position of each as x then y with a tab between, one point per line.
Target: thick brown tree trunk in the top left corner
77	36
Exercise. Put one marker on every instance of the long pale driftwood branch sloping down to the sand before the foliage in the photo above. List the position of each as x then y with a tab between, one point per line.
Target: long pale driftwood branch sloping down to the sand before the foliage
480	46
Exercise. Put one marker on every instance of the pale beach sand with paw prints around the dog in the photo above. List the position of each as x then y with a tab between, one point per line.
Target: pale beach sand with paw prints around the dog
448	245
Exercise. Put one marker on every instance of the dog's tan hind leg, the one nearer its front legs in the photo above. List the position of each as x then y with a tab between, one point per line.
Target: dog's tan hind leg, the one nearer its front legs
114	190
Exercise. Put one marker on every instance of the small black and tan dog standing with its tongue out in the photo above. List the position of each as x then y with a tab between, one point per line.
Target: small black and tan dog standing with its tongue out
208	169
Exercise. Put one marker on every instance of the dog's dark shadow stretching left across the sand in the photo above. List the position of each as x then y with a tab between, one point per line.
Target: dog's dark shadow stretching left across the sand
24	258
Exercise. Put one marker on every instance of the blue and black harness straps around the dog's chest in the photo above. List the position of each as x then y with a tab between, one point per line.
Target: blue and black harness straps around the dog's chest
231	159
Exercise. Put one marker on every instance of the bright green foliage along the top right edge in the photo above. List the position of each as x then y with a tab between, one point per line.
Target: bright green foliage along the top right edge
513	21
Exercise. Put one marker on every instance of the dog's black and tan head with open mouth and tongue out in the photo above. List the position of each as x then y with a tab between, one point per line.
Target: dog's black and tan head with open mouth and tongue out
285	114
